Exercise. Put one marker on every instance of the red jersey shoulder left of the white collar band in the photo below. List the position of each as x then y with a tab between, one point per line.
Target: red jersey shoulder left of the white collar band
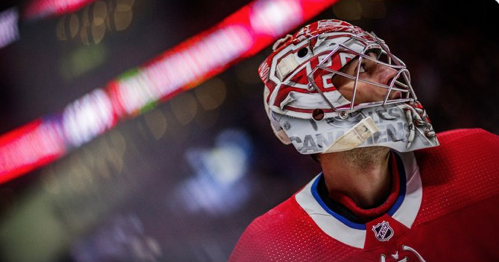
287	233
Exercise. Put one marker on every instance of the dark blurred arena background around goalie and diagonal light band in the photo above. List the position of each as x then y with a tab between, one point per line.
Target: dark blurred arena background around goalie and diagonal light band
180	179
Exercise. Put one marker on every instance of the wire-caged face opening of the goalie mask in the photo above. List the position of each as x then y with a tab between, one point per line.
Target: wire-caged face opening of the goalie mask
369	78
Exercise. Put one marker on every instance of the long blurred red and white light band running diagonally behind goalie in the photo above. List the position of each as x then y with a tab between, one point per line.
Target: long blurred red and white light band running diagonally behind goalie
241	35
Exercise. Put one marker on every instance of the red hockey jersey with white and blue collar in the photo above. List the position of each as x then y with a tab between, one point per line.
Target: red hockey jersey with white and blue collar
445	209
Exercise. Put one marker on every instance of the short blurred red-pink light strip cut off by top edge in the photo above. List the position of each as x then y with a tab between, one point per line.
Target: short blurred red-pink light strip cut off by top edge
46	8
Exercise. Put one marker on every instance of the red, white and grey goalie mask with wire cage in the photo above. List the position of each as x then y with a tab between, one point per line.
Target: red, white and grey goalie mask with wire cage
333	87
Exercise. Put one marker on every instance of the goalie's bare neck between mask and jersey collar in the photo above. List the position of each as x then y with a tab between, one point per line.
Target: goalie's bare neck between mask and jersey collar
362	174
